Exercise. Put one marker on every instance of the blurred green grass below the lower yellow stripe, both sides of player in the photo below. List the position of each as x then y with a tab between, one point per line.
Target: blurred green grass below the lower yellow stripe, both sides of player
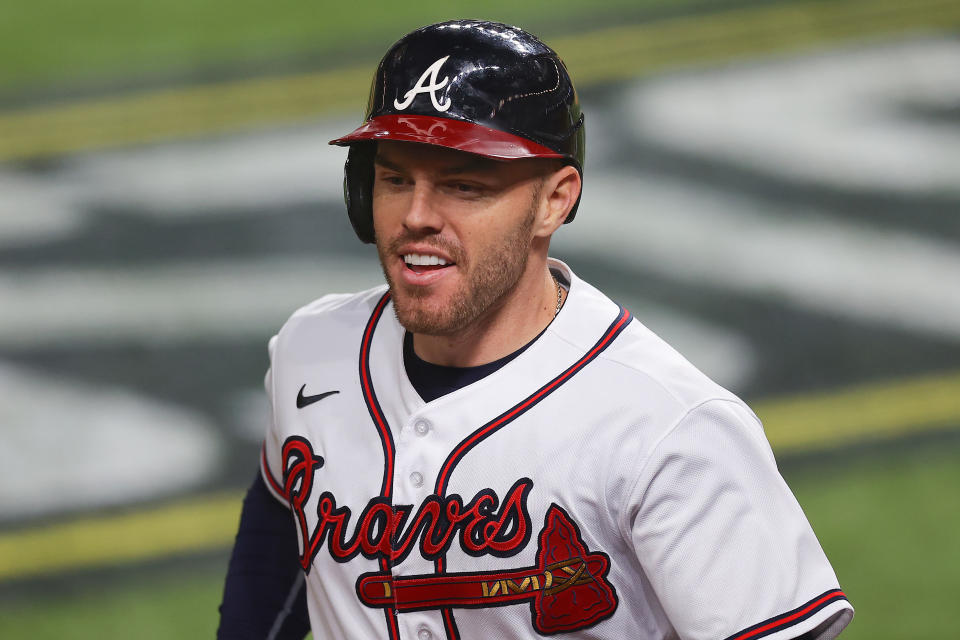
888	522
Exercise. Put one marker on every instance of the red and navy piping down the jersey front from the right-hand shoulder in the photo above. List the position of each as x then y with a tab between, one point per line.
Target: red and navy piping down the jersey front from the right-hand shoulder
614	330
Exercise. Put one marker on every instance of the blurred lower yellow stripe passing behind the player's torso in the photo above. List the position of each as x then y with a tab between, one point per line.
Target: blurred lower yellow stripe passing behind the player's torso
796	423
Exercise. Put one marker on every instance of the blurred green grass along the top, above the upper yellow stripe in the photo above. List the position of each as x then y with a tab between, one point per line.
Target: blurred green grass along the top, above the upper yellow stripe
47	42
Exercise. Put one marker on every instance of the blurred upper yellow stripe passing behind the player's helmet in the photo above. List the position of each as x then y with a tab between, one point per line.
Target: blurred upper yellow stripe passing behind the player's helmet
598	56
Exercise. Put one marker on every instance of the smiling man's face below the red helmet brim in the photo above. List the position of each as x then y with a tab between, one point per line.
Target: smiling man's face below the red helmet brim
453	231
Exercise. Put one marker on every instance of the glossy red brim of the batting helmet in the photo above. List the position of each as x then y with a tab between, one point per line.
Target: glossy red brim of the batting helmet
449	133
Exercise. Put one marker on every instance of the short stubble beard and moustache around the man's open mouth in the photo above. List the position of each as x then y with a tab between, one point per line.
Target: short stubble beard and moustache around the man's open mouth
495	274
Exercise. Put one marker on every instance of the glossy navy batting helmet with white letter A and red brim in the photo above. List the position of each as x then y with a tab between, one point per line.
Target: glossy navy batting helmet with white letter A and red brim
481	87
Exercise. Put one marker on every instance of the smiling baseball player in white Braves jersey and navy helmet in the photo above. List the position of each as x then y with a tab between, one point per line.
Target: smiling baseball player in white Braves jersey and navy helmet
487	446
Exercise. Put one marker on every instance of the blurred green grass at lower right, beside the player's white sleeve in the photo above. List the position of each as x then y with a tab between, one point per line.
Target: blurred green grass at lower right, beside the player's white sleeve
889	524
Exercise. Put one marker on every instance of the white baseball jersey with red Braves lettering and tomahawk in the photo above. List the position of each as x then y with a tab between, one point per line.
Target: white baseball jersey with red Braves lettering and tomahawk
596	486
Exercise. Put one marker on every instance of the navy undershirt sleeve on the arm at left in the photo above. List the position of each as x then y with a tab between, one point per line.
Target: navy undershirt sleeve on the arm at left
264	596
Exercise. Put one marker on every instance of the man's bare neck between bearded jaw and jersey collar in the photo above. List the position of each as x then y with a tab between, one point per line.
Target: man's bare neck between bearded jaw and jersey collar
501	330
